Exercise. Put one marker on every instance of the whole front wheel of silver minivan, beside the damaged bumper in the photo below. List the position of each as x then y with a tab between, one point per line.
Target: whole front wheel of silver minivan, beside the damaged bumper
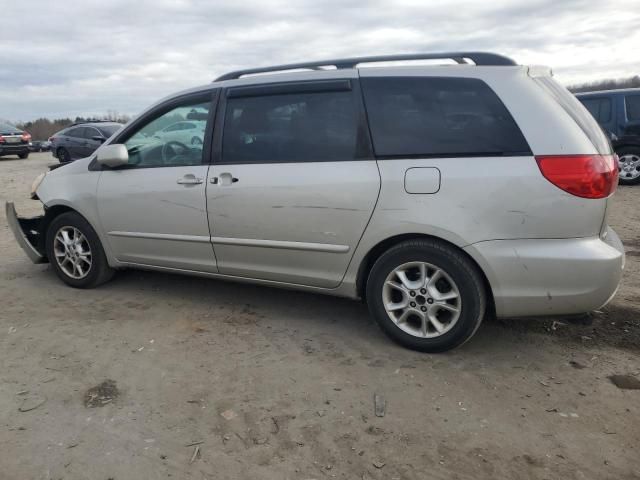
75	252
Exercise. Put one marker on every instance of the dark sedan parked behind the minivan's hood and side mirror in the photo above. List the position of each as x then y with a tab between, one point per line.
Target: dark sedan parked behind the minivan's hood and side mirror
81	139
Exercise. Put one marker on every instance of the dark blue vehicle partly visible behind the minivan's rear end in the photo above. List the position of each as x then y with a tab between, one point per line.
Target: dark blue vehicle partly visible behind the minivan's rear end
618	113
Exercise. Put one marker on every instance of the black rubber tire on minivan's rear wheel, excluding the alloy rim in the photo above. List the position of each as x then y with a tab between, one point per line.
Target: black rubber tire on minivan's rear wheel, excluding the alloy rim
465	274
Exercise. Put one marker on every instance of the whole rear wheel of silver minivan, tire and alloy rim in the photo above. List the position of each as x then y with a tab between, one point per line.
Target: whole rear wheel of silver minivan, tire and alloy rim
426	295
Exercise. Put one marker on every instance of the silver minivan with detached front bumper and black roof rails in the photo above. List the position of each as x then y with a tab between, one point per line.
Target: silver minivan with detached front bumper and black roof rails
438	194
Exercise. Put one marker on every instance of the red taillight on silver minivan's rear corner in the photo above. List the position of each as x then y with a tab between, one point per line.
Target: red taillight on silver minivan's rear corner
586	176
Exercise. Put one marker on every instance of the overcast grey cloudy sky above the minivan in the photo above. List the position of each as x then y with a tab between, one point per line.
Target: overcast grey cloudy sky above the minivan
69	58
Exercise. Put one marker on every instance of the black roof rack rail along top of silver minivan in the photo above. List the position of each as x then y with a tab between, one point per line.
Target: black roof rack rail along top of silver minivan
479	58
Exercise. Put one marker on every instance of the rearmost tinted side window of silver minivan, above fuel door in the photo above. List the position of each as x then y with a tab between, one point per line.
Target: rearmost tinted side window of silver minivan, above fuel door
417	116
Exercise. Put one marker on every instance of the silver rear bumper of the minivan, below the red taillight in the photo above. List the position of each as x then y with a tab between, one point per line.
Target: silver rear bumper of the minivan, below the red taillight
534	277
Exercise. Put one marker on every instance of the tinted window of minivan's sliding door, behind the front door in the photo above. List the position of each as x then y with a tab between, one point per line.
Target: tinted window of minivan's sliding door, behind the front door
293	127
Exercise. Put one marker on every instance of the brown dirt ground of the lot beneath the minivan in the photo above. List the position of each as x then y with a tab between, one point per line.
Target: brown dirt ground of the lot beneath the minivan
163	376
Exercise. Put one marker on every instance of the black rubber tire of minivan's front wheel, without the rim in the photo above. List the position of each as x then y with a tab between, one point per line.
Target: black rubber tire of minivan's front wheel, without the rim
99	272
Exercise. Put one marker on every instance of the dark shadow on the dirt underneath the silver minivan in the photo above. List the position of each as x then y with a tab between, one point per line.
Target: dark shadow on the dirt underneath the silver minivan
335	317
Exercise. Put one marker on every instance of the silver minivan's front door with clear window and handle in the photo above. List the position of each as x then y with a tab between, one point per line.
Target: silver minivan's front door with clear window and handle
153	210
